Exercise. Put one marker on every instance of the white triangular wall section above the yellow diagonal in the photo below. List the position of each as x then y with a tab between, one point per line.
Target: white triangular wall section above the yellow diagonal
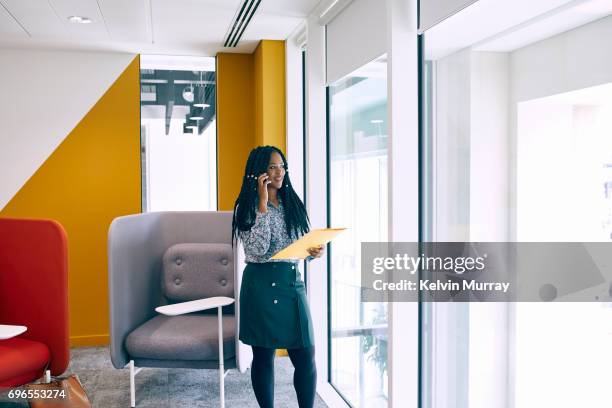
44	96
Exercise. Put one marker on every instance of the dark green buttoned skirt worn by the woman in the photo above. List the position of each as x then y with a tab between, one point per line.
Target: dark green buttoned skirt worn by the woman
274	311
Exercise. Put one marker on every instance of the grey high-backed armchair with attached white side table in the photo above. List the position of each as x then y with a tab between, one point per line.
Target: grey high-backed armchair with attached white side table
161	259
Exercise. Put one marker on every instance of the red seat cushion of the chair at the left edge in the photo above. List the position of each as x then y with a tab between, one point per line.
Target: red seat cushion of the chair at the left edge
21	357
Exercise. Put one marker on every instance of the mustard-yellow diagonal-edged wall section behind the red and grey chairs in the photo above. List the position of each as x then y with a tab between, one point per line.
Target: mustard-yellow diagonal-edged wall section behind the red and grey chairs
92	177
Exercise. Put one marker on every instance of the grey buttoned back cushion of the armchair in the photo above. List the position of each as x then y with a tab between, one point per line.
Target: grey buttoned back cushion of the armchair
194	271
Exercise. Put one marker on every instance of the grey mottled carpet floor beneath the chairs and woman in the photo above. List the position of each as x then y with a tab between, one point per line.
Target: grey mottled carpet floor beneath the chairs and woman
108	387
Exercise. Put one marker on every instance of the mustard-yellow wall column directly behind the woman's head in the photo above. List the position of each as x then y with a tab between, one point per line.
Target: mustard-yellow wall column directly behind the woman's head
251	111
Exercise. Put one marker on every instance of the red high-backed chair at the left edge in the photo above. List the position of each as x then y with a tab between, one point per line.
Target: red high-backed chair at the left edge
33	293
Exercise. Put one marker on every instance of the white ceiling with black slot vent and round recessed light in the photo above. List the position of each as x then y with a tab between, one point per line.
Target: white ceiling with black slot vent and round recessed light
171	27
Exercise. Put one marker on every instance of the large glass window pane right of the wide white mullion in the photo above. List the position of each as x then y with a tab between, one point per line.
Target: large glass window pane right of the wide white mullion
517	147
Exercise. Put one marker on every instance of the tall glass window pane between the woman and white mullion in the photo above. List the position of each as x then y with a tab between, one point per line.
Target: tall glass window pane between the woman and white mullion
358	201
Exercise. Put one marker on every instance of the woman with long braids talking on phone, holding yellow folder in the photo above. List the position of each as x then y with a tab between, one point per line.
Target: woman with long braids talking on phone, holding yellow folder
274	312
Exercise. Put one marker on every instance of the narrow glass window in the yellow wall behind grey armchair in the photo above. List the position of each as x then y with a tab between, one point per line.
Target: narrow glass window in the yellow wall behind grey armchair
178	133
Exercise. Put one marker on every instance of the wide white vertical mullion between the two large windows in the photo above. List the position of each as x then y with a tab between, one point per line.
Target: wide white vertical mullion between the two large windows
402	83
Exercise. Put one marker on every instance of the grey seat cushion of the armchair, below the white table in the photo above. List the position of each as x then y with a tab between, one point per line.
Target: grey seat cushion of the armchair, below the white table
185	337
